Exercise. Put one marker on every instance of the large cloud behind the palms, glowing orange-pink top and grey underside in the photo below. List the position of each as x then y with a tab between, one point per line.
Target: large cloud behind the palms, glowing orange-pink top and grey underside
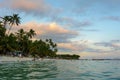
50	31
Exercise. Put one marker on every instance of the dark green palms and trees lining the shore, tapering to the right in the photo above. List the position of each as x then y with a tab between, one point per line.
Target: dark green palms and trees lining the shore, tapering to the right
21	42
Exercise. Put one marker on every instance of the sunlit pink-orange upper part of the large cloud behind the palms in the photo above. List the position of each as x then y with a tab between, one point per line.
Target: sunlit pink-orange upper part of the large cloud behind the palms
42	28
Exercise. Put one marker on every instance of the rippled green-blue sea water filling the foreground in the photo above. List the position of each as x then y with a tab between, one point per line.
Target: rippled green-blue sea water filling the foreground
60	70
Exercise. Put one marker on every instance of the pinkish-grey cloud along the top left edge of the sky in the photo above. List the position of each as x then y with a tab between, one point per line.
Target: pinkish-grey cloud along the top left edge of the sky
36	7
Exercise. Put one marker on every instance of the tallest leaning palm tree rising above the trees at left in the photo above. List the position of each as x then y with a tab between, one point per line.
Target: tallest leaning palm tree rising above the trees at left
14	20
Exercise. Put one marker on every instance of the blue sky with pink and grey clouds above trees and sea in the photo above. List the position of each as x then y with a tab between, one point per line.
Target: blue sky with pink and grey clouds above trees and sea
89	28
